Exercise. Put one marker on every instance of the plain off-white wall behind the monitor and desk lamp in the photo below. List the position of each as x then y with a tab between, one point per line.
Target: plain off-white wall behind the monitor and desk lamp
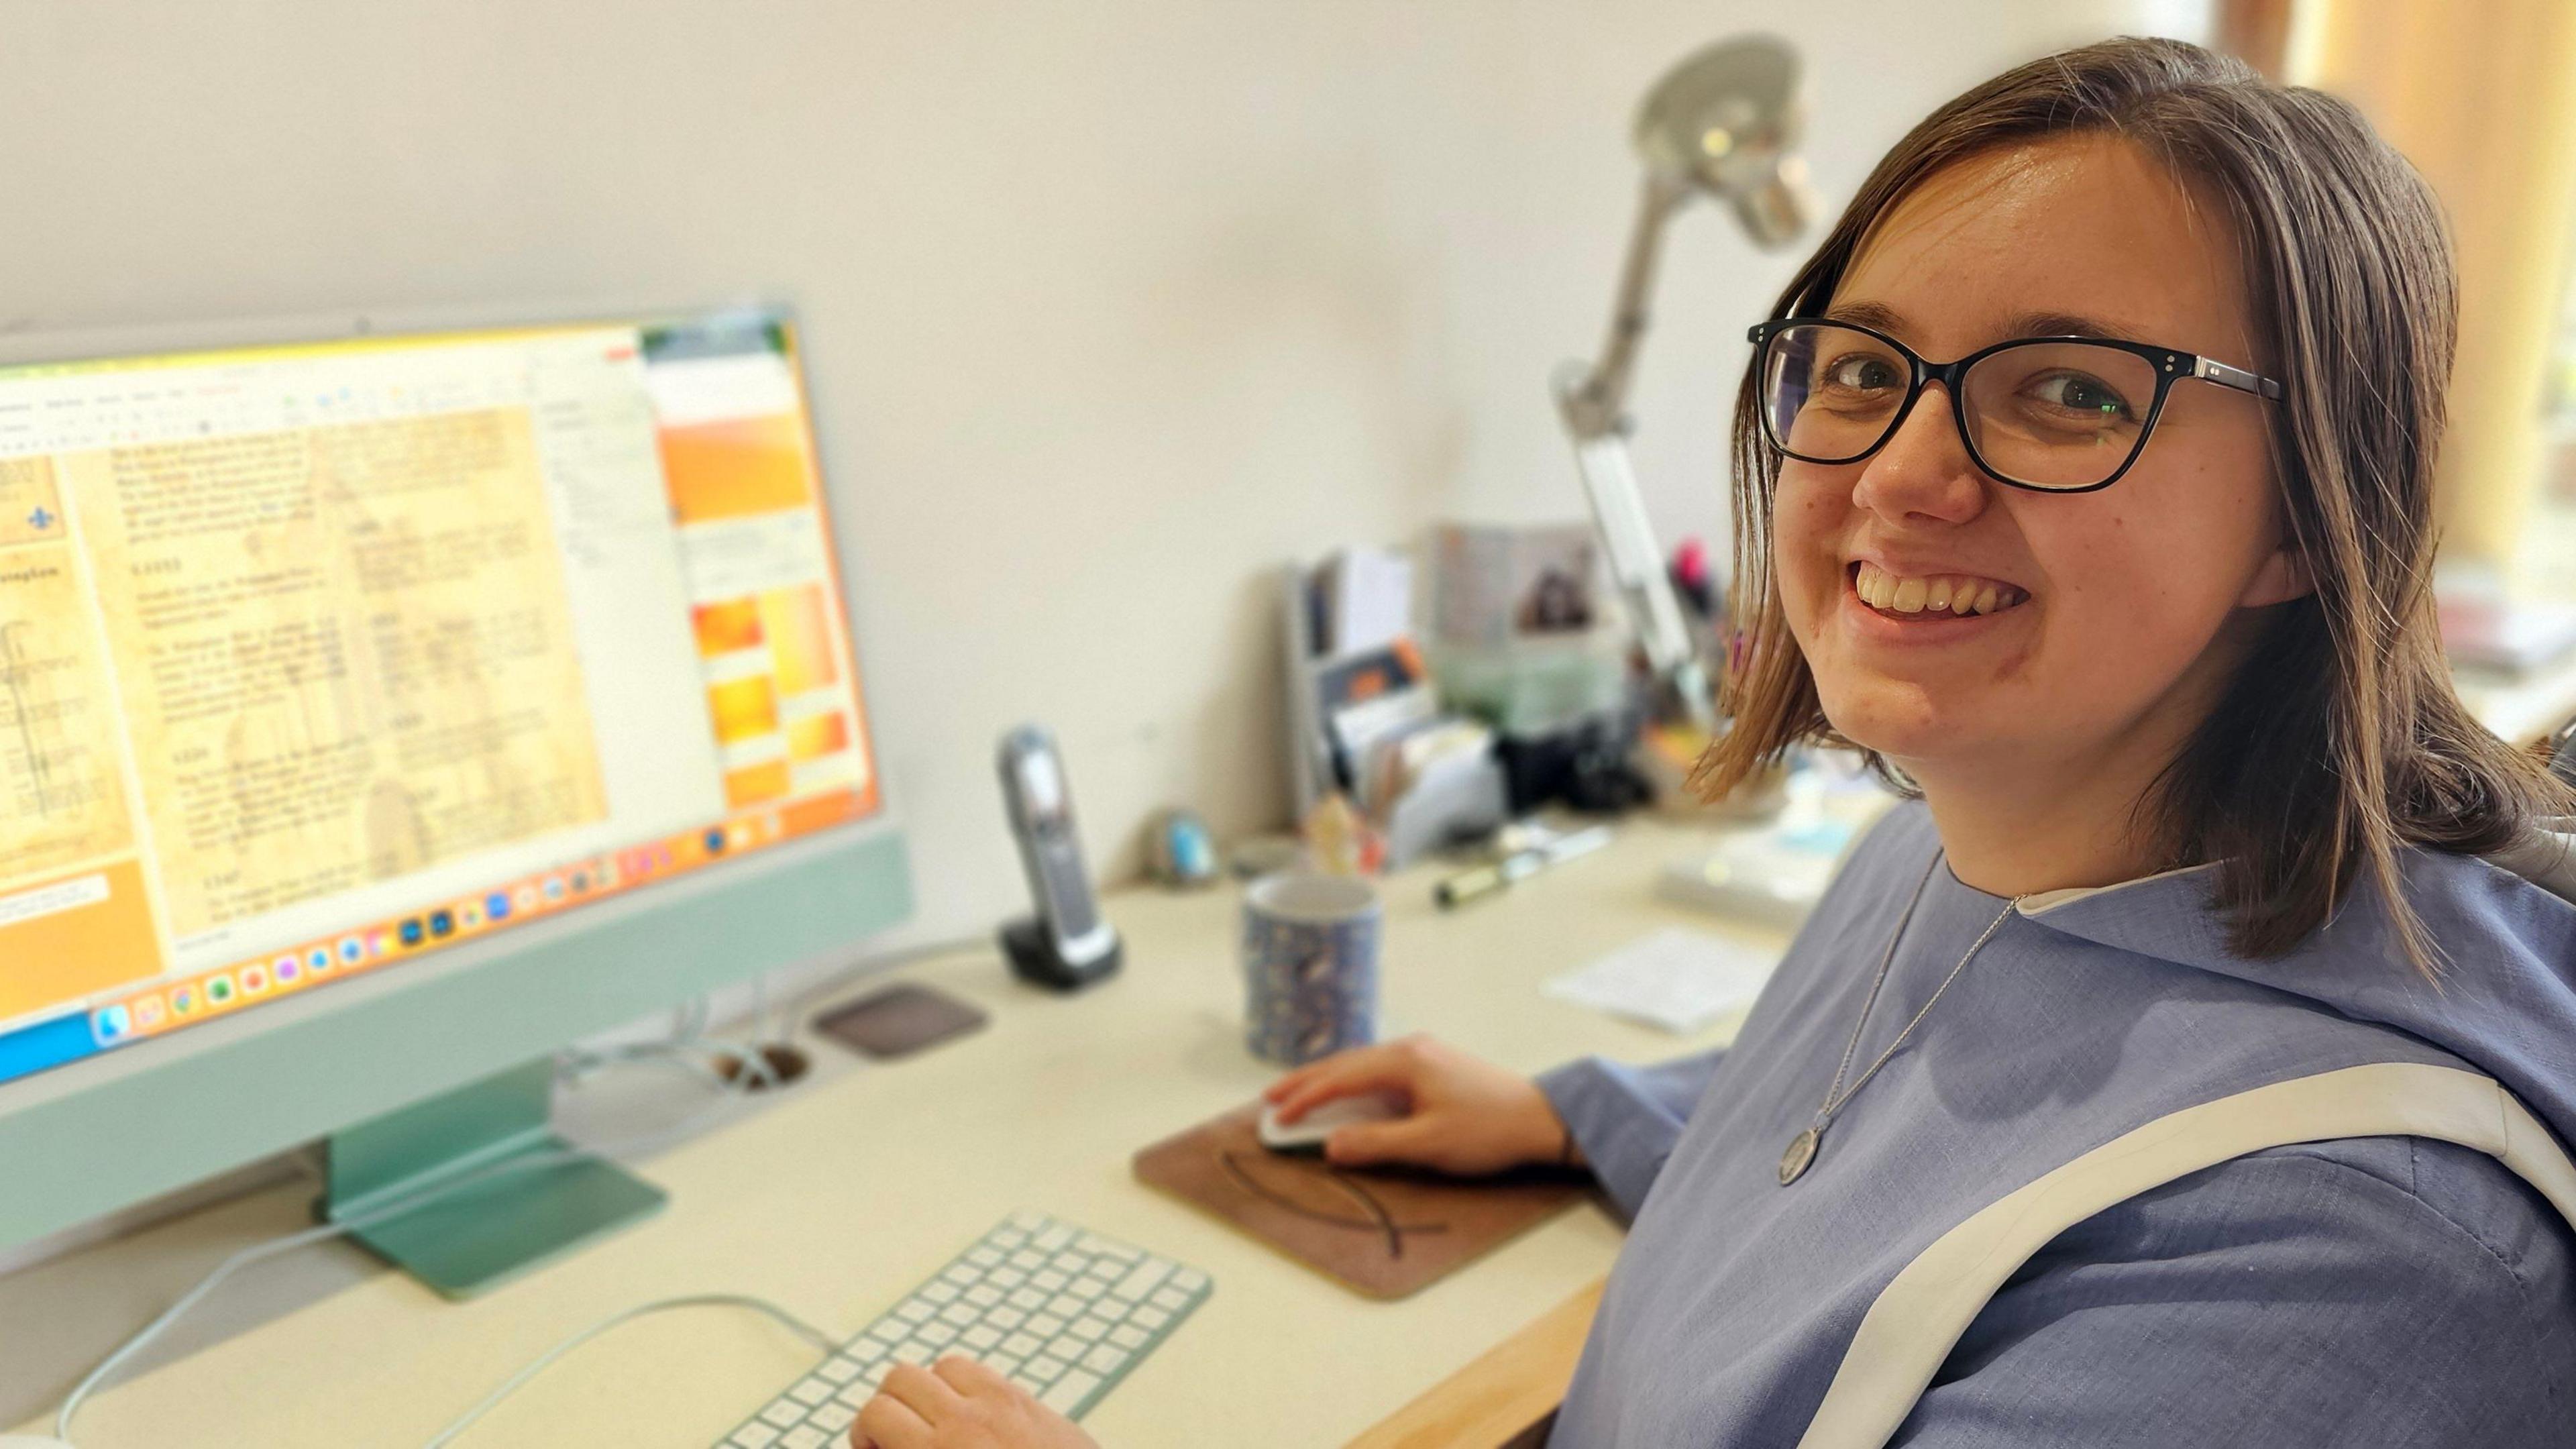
1112	303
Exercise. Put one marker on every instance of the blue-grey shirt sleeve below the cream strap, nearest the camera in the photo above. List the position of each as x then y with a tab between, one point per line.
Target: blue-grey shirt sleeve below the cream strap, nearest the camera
2291	1301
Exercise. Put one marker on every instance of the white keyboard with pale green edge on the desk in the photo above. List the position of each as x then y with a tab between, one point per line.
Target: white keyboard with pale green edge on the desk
1057	1311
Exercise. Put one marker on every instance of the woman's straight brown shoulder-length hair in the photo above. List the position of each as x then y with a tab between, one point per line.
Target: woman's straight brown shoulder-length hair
2340	741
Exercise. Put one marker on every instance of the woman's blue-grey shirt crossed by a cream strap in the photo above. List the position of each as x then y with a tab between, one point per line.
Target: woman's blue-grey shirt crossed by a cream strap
2361	1293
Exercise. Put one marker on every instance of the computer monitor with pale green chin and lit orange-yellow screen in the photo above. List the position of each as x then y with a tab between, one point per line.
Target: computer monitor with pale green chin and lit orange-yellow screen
380	713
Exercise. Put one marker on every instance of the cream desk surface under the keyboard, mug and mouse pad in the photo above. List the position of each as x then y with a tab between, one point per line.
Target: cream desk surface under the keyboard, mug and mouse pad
854	1187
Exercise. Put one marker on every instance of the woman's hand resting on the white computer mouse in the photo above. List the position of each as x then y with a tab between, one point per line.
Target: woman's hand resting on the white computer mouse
1467	1115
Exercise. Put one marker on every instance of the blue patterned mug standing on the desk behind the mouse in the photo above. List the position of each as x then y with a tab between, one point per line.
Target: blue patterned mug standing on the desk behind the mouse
1310	966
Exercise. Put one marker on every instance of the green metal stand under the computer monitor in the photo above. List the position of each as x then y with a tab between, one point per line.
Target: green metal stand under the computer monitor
511	1221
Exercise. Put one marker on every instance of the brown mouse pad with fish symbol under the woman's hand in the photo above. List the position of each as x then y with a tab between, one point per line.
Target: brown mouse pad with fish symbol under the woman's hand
1379	1231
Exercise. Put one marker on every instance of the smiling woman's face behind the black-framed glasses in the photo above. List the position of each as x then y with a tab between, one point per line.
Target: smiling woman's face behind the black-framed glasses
2129	594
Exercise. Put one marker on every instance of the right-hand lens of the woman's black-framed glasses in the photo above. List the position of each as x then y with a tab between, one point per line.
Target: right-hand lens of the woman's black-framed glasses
2060	414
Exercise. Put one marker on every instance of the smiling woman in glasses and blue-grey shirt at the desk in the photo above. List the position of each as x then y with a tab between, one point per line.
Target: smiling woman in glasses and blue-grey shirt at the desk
2139	1082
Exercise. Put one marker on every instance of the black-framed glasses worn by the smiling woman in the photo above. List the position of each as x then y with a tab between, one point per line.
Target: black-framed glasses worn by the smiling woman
2047	414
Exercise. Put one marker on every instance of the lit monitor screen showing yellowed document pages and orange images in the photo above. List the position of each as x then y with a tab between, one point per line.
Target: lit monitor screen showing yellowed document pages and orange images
316	659
